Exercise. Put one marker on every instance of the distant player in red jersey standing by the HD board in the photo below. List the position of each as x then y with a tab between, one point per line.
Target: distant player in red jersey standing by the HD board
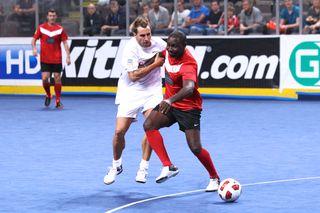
51	35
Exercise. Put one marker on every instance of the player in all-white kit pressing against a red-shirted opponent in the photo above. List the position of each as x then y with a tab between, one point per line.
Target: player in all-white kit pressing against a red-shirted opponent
139	89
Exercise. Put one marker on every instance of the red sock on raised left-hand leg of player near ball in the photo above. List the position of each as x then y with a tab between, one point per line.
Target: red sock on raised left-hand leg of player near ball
156	142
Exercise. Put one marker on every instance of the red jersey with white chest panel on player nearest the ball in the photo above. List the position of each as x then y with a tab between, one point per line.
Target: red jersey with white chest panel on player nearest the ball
177	70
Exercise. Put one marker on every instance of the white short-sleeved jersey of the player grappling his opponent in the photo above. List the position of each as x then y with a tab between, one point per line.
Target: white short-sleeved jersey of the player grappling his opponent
133	56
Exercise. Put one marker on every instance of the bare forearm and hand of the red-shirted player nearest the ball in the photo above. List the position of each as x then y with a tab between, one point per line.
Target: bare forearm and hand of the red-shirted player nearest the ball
187	90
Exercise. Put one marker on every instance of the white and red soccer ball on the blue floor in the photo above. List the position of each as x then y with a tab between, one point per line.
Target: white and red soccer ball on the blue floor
229	190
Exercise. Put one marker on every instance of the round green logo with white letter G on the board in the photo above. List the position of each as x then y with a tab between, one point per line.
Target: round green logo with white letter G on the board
304	63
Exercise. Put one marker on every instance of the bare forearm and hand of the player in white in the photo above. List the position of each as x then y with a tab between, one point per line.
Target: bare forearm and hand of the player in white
145	70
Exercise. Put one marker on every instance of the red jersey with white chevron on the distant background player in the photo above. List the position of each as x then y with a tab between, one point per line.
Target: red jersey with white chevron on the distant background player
50	37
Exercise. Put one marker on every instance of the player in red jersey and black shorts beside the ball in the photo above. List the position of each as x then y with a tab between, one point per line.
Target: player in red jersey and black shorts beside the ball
183	104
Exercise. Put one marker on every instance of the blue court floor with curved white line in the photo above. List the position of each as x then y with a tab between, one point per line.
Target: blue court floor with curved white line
55	160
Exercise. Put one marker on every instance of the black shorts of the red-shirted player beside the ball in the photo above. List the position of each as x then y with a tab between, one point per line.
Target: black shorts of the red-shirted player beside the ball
186	119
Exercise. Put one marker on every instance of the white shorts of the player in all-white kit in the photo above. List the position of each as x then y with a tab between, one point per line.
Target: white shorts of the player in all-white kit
130	107
